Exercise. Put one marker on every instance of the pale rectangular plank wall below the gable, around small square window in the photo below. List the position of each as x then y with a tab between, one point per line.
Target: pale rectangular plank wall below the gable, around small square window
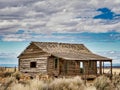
41	65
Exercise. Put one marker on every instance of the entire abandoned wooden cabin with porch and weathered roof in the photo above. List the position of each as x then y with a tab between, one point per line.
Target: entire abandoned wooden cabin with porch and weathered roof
61	59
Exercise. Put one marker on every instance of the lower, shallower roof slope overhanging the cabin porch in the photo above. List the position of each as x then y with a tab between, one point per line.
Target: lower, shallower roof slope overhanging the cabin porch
80	56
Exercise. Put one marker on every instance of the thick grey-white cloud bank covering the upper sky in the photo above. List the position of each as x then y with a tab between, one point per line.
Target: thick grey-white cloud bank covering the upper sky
50	16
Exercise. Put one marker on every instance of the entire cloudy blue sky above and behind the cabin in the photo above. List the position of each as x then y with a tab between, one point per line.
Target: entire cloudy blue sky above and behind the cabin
95	23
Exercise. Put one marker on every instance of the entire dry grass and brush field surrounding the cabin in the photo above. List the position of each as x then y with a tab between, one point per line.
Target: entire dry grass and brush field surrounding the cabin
12	79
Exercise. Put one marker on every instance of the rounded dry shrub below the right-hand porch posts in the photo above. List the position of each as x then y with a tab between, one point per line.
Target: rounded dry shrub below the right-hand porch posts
103	83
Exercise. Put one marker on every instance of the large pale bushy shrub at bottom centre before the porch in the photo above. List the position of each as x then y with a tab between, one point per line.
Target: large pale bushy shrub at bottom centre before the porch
67	84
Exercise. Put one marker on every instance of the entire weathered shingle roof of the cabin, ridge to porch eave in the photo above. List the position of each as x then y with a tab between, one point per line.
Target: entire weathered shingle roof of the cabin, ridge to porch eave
69	51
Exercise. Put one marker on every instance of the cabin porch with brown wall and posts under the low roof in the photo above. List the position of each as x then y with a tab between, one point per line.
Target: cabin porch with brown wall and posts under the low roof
84	68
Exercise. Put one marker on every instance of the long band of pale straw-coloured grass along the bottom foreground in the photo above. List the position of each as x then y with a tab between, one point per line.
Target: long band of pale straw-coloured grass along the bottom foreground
57	84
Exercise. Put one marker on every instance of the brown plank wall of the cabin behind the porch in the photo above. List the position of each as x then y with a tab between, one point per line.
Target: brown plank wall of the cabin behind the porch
70	67
